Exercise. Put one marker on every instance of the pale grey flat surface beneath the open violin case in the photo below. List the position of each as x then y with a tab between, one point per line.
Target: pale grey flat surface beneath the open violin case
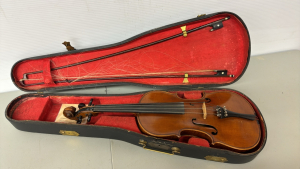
272	81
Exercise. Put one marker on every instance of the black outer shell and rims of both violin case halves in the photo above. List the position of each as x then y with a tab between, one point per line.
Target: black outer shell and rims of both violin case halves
186	150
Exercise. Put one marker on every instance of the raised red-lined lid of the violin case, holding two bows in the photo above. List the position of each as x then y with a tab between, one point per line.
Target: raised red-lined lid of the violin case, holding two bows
221	42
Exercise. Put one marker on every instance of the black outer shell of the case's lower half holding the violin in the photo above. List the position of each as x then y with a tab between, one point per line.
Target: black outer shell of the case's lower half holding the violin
186	150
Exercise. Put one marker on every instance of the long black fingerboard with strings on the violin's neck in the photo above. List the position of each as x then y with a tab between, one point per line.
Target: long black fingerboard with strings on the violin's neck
159	108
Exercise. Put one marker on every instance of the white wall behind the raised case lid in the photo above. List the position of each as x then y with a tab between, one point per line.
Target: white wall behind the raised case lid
33	28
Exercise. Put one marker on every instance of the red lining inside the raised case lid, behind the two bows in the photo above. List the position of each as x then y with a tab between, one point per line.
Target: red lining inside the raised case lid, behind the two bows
226	48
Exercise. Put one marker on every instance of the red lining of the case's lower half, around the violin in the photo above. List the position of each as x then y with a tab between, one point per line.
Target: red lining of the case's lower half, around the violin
46	108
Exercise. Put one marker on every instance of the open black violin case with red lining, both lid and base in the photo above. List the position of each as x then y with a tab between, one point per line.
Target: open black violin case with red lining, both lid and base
225	46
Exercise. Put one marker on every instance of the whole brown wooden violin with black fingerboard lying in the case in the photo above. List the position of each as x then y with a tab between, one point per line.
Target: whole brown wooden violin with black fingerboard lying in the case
225	119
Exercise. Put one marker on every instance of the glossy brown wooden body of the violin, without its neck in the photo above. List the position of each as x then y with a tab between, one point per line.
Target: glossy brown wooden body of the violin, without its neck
234	133
